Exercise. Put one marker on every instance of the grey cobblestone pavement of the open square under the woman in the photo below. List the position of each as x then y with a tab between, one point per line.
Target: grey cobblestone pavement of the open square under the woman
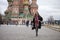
21	32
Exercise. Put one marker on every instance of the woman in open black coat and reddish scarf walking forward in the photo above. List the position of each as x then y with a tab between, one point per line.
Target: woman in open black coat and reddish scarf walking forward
37	22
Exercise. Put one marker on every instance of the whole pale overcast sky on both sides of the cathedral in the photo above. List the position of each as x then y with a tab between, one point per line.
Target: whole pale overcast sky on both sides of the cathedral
46	8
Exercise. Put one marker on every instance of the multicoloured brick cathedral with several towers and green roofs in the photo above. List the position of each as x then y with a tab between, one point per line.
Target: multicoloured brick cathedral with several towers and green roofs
21	9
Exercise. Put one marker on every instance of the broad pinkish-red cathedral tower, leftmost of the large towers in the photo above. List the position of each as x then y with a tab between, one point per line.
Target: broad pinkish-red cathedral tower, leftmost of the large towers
15	9
